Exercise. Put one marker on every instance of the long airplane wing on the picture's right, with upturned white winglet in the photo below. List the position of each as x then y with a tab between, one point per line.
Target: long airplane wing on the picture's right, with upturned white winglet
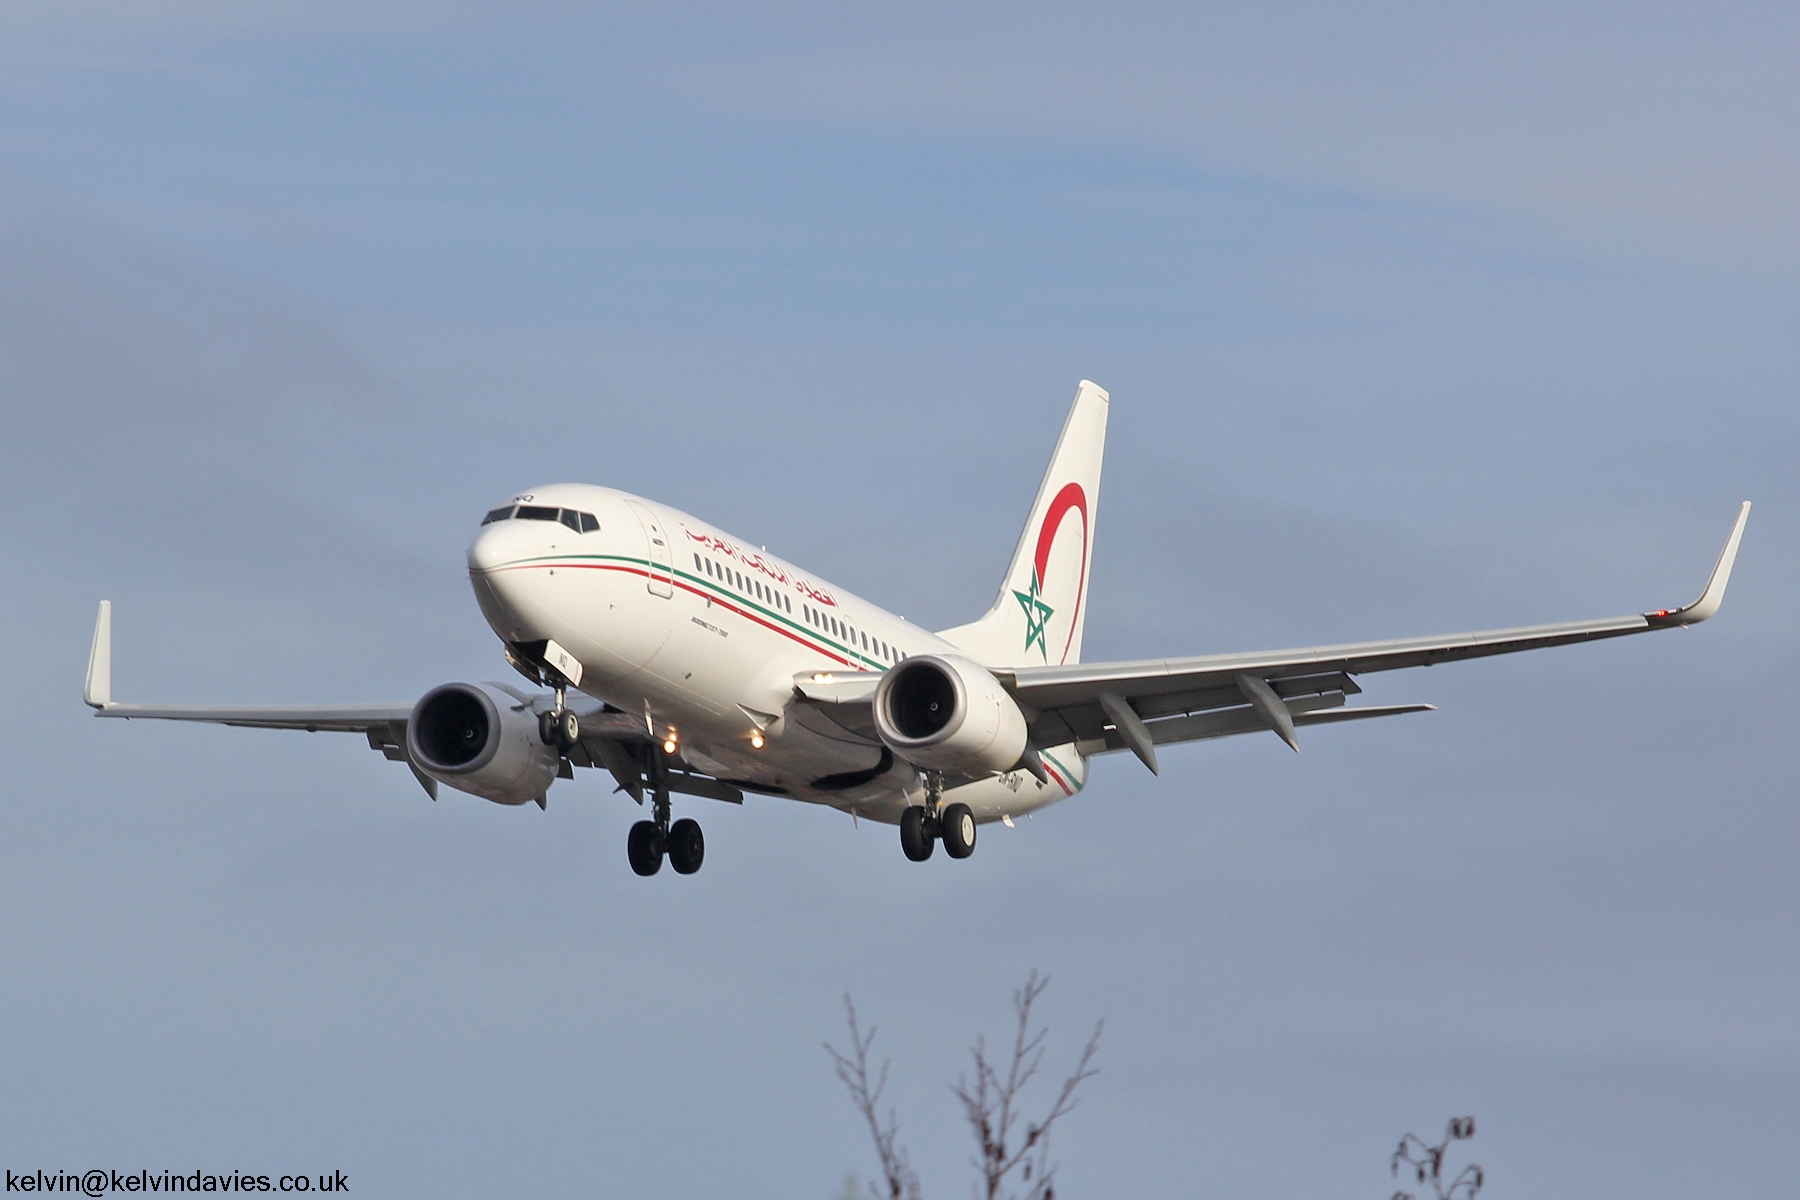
1138	706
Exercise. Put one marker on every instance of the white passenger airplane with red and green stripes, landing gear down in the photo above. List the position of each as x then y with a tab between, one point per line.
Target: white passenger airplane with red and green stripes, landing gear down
687	661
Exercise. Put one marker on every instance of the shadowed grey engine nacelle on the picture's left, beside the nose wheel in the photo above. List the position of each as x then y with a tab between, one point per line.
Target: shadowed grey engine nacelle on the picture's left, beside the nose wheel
478	740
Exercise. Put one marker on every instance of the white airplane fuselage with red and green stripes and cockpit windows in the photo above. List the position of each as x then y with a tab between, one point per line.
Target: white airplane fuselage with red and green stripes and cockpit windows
705	636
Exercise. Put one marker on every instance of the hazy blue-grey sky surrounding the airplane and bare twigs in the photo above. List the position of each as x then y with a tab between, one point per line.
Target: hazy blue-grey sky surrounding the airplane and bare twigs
1416	319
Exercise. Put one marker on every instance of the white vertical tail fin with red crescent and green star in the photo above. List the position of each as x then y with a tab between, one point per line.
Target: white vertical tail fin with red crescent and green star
1043	605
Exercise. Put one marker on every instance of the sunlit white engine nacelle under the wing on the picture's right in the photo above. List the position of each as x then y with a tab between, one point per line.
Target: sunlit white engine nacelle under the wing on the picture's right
949	713
